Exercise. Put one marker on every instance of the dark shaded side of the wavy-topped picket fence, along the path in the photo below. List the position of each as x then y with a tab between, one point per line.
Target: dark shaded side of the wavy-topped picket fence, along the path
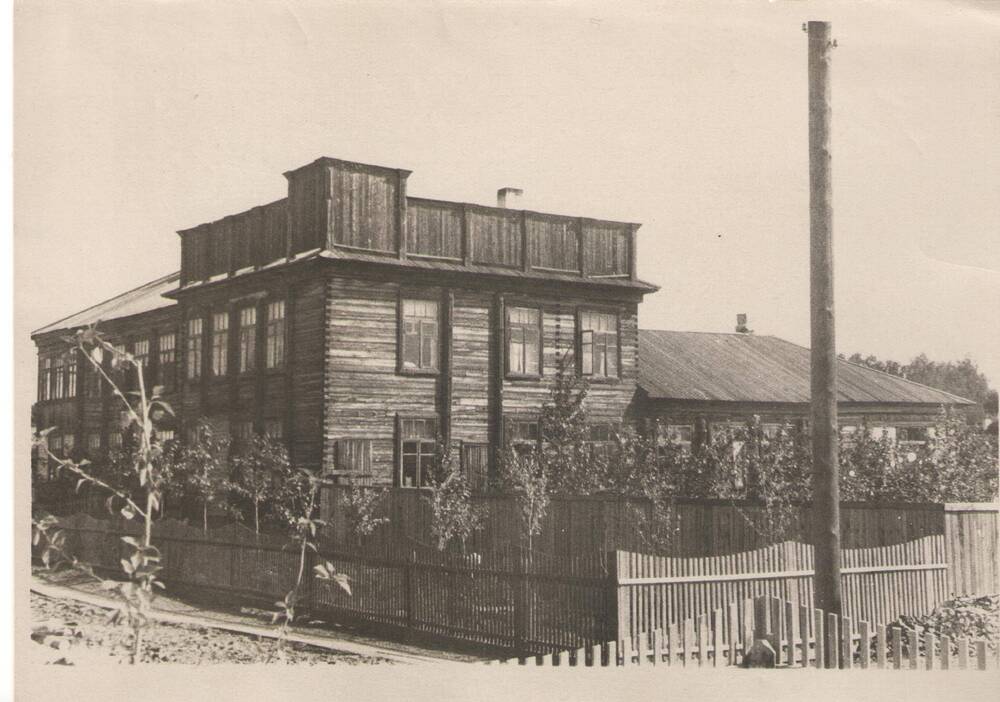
513	599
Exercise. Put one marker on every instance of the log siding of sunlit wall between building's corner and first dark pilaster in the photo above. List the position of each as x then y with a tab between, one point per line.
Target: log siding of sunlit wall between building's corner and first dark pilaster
364	392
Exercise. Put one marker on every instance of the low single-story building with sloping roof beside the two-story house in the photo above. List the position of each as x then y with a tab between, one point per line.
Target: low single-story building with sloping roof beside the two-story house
726	378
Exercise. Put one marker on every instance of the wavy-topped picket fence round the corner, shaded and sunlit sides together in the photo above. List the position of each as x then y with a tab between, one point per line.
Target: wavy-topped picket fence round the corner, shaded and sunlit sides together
518	599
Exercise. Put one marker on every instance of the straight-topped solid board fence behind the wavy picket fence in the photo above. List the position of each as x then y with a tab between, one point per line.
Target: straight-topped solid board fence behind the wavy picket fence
585	525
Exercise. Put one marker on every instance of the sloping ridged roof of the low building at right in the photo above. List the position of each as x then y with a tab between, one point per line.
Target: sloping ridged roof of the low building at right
749	368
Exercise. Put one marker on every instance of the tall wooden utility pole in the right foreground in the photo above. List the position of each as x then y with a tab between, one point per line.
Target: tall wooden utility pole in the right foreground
826	486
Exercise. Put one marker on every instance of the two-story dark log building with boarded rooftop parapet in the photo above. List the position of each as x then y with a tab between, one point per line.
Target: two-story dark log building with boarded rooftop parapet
363	325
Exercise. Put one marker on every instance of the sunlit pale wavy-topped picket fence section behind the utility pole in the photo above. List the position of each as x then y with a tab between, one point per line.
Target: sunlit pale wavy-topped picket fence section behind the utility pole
879	584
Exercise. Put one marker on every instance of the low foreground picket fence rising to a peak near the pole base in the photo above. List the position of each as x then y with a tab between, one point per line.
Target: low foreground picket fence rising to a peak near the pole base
795	636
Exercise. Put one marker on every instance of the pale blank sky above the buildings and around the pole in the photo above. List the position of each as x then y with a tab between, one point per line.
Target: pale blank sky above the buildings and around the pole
134	120
